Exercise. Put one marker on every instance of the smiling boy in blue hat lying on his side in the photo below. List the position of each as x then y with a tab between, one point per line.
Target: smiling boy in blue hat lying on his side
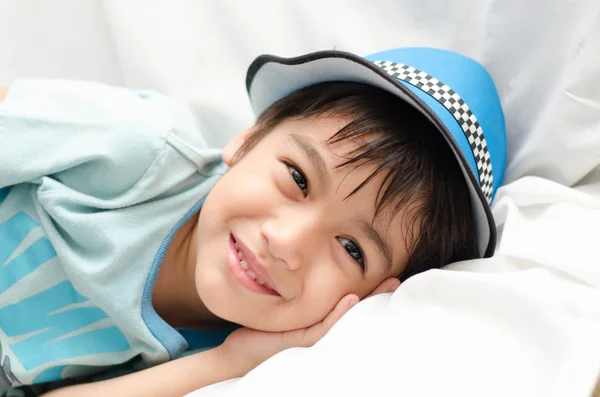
118	228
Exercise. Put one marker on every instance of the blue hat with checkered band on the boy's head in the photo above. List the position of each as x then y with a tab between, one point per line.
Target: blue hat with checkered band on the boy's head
455	92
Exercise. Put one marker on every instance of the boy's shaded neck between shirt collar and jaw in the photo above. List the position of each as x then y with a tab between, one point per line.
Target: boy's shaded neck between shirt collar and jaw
175	298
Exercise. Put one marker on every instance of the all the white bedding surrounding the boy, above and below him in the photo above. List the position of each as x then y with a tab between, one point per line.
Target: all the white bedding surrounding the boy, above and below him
524	323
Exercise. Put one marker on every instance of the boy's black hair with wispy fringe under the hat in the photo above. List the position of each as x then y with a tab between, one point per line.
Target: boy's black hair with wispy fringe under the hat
421	174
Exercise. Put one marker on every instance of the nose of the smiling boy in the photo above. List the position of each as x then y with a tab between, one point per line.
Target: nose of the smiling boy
290	239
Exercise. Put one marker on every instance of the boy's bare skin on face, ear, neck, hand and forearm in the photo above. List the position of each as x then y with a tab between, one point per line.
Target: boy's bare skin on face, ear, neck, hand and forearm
300	237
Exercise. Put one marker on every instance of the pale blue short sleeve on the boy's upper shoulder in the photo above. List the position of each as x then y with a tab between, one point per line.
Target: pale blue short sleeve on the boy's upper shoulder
94	138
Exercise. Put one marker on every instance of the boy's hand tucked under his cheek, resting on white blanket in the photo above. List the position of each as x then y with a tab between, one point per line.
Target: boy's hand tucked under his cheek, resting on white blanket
247	348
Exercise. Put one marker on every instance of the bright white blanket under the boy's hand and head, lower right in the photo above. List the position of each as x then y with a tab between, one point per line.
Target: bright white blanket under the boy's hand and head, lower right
524	323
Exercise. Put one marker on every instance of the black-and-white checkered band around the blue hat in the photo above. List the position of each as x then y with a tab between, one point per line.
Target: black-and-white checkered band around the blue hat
459	110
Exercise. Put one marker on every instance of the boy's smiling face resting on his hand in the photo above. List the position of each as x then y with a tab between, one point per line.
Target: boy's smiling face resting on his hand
284	205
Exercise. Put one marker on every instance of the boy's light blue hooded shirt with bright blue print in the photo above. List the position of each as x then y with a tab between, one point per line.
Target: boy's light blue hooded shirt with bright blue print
94	183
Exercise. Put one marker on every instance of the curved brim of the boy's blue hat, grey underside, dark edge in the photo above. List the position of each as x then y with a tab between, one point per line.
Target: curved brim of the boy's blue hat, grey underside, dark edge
270	78
